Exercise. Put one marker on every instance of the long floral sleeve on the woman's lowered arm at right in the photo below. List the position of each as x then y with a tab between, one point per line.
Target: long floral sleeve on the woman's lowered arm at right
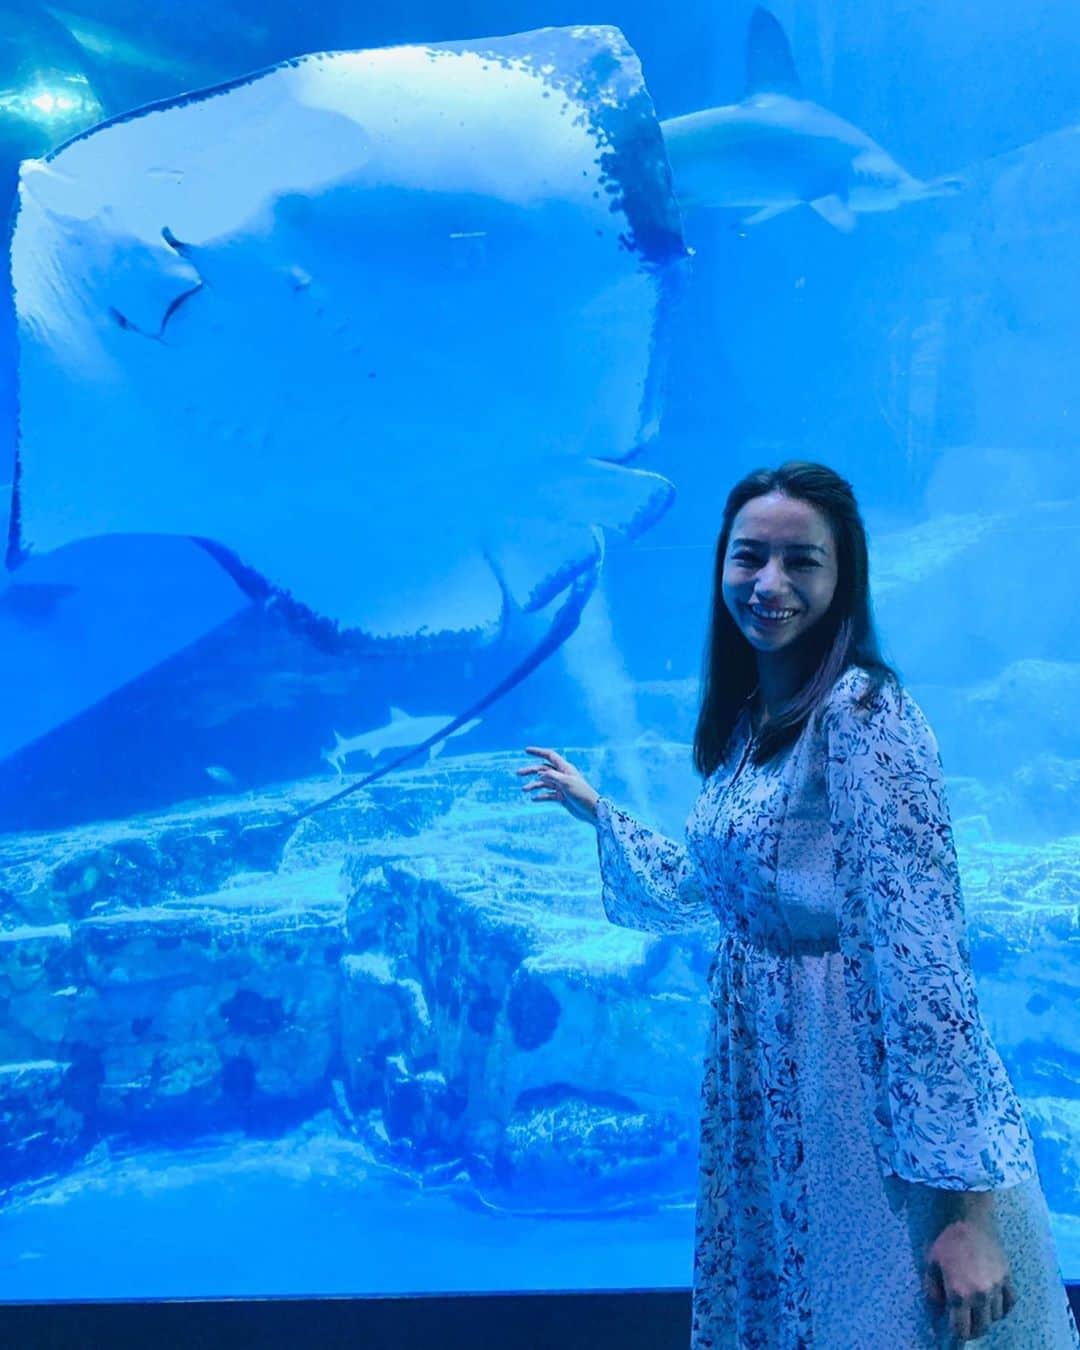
942	1108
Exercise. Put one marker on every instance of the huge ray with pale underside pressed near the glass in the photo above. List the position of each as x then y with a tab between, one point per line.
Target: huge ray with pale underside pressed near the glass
380	329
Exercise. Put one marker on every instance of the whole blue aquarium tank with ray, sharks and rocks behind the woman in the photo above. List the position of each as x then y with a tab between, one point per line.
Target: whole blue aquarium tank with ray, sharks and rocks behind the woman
372	380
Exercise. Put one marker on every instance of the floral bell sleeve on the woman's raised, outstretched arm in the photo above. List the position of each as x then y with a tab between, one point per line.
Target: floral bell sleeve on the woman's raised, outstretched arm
649	881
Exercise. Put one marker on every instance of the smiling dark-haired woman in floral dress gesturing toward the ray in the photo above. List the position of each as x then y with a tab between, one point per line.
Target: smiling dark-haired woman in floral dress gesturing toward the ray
866	1172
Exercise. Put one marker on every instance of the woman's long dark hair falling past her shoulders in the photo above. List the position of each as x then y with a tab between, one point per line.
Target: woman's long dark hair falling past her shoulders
843	637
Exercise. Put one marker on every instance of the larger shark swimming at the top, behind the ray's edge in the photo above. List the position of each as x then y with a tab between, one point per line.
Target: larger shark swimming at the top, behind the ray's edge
777	151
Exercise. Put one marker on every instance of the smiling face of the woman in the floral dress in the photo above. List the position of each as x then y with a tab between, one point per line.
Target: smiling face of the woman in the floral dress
781	557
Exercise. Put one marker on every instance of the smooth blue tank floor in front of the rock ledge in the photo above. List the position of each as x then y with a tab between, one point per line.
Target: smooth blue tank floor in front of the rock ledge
199	1224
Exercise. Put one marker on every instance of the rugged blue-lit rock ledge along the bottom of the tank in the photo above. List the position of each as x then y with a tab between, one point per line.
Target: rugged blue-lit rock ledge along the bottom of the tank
427	966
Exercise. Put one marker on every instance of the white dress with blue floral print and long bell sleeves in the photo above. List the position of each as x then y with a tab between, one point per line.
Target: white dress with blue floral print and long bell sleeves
848	1073
